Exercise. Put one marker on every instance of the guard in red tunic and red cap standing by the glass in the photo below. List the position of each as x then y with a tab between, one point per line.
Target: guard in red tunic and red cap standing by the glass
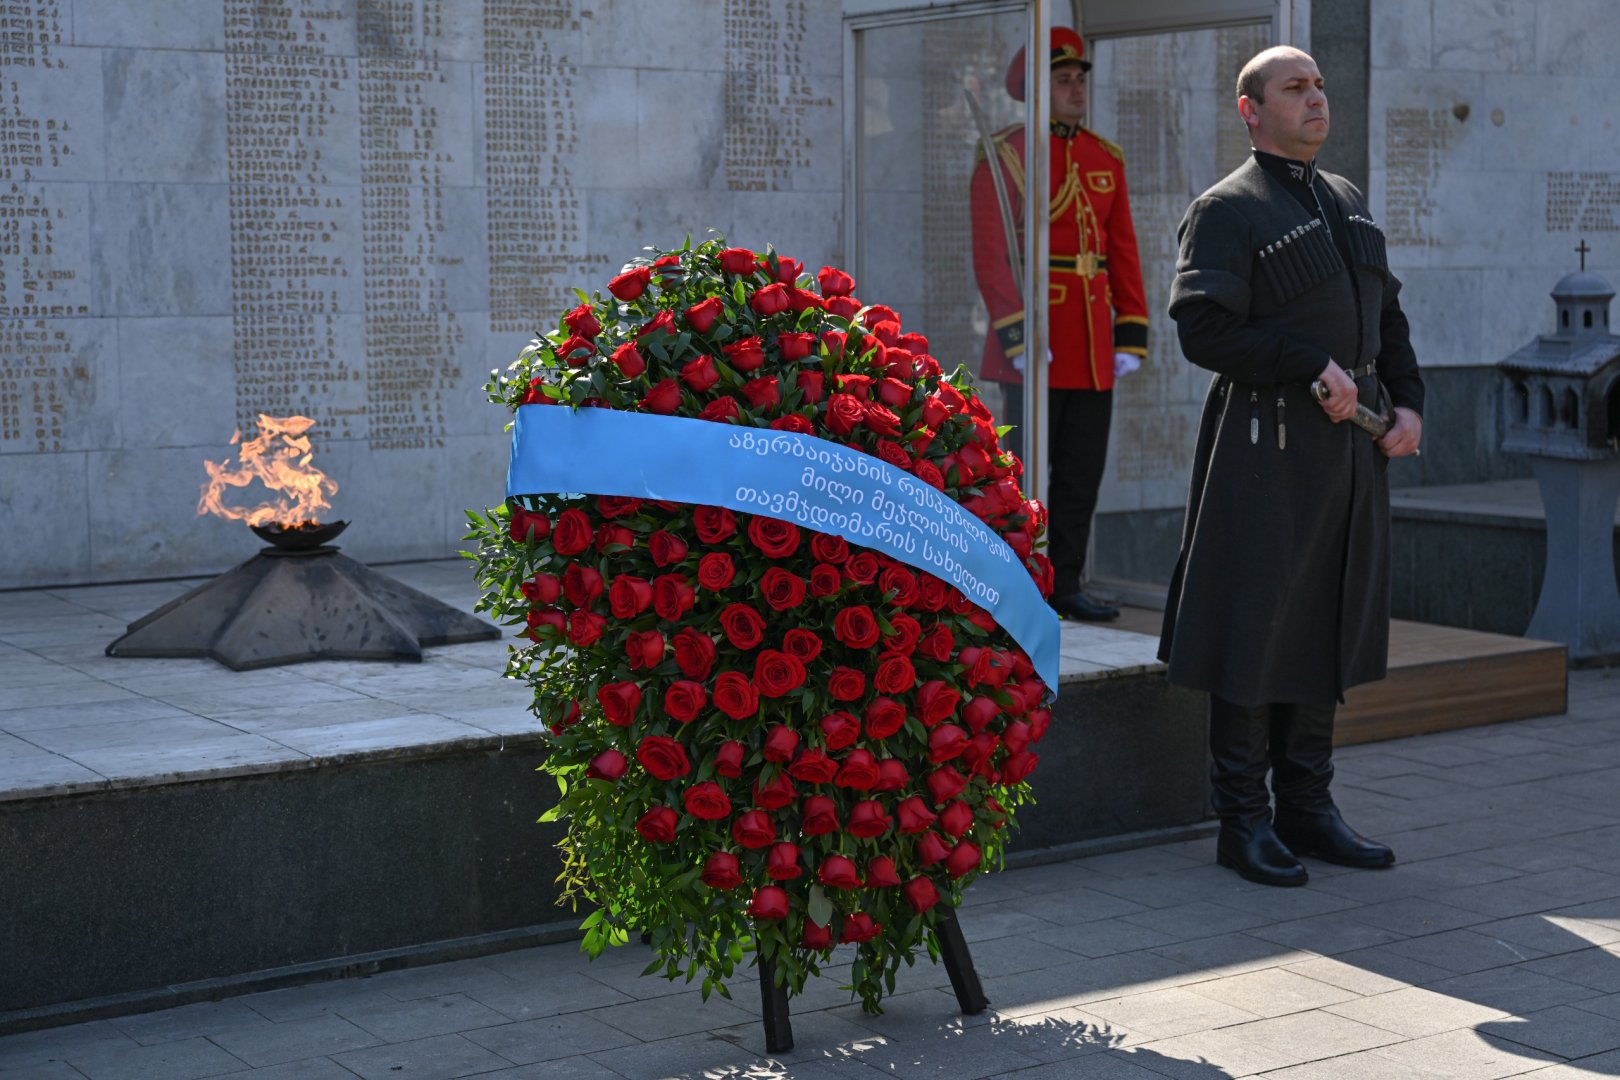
1098	307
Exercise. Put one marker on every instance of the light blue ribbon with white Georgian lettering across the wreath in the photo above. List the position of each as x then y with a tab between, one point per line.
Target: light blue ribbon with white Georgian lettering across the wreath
796	478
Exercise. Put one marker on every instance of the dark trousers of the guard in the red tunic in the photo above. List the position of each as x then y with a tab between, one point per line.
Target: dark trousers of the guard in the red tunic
1076	454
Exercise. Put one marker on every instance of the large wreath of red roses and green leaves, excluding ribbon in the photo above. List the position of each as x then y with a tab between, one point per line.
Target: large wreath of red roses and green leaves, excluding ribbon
764	738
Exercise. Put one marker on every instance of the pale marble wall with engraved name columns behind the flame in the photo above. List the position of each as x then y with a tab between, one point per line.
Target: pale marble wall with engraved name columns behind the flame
351	210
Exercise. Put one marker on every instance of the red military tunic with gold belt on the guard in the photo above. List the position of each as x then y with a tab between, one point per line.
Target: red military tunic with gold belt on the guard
1096	289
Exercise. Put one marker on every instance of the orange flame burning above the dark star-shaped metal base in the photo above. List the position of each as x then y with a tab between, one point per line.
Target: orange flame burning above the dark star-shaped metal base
279	459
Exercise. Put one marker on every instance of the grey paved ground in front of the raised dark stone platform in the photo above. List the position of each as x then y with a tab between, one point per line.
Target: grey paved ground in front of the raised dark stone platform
1491	951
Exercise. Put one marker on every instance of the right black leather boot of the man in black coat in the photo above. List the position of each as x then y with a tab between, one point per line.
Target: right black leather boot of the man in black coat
1302	773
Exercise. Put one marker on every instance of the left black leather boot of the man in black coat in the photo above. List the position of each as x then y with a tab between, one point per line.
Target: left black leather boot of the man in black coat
1238	796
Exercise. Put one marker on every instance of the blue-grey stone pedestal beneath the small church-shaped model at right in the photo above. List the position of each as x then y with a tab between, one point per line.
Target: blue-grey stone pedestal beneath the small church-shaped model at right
1580	603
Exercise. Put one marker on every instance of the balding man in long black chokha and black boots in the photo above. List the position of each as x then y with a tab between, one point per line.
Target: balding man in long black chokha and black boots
1282	595
